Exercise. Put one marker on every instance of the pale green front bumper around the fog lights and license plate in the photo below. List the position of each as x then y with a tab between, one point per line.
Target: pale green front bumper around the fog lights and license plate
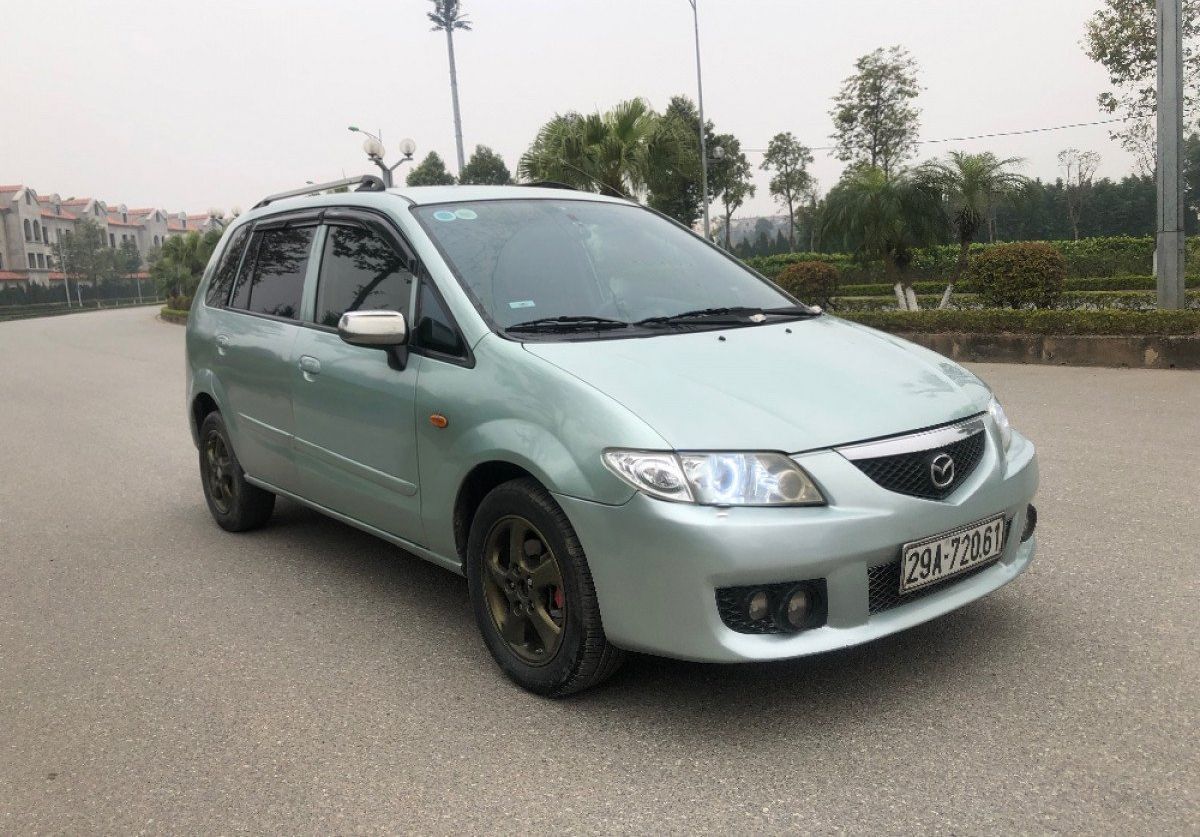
657	565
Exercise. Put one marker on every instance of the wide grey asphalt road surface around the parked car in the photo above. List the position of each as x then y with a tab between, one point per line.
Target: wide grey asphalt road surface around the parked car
160	676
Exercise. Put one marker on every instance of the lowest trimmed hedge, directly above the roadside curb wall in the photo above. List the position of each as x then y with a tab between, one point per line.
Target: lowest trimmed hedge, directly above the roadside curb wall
998	321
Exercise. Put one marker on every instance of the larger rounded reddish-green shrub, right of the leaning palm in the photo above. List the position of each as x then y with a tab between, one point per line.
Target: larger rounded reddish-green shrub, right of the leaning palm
1019	275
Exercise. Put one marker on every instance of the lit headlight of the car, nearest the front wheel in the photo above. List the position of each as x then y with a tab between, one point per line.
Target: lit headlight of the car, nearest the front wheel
717	479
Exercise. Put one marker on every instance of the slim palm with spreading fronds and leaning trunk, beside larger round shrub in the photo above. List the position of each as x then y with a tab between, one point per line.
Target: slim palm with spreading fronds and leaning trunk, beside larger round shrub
973	185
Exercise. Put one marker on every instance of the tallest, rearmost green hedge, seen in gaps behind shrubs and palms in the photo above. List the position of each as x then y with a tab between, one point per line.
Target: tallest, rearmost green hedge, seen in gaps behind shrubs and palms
1087	258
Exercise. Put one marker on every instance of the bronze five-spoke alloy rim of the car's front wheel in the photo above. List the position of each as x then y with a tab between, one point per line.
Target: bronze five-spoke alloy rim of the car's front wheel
524	587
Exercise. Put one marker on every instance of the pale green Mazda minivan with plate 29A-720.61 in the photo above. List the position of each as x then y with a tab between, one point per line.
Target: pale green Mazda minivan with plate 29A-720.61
626	439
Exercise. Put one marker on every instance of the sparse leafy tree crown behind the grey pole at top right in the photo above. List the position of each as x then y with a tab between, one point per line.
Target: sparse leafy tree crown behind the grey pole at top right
1123	38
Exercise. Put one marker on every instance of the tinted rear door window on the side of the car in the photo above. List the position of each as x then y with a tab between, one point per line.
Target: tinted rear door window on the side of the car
274	286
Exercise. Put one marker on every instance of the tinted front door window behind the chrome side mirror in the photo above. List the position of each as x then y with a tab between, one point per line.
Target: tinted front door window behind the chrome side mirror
361	270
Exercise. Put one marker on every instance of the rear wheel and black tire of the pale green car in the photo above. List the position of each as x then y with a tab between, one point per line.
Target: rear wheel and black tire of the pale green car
236	505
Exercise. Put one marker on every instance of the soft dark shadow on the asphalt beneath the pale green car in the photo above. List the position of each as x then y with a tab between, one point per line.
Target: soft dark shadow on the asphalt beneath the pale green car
392	586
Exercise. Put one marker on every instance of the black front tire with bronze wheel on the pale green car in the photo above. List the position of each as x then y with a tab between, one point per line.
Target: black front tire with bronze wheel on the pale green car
579	657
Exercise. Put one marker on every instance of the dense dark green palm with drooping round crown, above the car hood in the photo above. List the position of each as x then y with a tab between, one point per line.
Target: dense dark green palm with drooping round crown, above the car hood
885	219
